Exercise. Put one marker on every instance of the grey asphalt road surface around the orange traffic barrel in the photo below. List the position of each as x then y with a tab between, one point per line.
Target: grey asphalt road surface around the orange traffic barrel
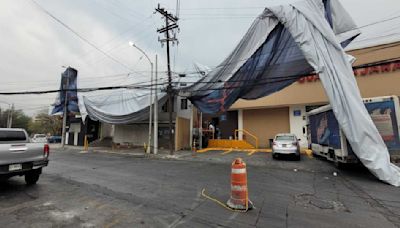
109	190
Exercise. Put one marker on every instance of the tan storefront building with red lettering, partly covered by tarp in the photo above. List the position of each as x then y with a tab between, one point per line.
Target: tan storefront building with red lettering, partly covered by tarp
285	111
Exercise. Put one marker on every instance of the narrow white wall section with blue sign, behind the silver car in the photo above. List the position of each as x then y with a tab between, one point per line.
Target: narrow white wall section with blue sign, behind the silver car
297	123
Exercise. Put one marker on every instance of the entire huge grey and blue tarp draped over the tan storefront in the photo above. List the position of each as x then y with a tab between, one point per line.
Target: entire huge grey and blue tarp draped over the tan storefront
285	42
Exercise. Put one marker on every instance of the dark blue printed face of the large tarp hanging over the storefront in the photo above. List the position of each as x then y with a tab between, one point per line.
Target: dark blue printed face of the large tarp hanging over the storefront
276	64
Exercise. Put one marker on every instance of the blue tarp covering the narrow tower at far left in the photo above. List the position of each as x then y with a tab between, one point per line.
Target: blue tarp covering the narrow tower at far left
68	82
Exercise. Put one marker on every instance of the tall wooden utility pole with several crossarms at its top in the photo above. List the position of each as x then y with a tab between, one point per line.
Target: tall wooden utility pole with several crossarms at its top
170	24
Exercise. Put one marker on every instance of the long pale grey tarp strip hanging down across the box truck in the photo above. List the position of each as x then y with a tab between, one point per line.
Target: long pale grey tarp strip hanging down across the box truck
323	52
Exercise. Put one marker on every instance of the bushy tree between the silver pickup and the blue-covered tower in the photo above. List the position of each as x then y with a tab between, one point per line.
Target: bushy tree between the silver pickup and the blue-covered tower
44	123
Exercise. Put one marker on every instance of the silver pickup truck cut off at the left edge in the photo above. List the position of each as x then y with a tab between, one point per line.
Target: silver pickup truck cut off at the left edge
18	156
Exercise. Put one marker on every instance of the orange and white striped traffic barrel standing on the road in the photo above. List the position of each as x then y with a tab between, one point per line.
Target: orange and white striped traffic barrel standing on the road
239	191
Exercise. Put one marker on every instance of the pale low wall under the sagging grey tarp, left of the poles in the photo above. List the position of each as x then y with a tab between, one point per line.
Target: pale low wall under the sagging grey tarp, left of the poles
135	134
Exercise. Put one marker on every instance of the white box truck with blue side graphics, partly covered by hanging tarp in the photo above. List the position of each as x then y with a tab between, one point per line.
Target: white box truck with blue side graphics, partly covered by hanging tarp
328	140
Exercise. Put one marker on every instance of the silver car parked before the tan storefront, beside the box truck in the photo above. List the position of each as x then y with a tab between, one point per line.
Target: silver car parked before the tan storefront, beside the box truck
286	144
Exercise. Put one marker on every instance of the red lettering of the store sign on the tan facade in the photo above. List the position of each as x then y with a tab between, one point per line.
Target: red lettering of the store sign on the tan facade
386	68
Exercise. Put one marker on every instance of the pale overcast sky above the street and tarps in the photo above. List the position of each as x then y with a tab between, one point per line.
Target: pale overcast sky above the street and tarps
35	47
